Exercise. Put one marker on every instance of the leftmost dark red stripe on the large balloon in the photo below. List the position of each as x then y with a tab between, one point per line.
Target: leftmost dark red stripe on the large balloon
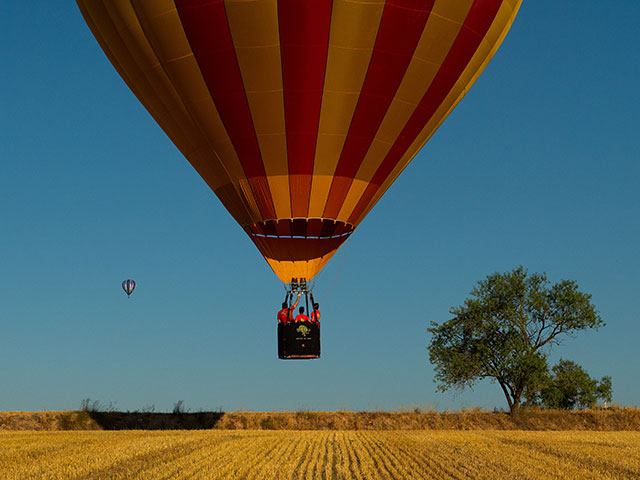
207	29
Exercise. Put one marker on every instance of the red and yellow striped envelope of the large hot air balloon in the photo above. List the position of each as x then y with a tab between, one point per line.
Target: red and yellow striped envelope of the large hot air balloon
299	114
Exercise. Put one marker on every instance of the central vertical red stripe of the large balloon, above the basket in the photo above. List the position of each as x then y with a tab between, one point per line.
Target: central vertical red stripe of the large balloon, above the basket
304	41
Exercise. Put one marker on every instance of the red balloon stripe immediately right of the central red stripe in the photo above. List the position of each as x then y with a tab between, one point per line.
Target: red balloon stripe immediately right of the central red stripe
401	27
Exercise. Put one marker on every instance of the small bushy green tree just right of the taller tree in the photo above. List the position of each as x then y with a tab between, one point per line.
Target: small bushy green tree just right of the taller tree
570	386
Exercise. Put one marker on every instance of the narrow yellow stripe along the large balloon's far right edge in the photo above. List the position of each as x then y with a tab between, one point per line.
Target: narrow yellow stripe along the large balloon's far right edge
479	61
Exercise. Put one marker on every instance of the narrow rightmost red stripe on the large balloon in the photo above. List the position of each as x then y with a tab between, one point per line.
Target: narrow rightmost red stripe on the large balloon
475	28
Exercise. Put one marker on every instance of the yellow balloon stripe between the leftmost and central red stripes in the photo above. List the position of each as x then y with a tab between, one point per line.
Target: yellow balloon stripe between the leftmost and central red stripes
256	38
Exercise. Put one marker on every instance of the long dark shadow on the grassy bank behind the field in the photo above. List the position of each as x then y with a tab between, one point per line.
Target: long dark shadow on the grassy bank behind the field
156	421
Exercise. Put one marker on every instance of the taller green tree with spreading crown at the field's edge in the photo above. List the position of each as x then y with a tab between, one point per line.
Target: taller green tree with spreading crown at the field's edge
505	331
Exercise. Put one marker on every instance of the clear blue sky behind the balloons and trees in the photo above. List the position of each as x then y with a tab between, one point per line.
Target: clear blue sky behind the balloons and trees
539	166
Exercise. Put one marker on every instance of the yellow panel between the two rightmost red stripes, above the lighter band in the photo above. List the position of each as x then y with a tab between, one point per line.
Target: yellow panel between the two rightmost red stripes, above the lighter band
433	46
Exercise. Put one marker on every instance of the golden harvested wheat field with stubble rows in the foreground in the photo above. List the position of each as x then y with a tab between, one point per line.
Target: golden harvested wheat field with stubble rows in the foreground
220	454
